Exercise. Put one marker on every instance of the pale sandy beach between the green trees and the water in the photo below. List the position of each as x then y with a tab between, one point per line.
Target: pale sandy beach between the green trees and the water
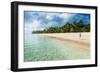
73	38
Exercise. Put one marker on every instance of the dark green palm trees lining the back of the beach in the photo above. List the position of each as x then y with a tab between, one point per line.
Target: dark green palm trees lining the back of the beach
68	27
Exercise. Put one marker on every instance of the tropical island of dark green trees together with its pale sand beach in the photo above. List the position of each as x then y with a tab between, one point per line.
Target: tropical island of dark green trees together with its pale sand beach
78	32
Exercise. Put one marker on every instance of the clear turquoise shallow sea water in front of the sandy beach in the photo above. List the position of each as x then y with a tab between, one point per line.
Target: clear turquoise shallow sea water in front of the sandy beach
43	48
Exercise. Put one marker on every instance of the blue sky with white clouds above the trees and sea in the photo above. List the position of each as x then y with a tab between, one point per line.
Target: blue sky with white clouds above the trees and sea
35	21
